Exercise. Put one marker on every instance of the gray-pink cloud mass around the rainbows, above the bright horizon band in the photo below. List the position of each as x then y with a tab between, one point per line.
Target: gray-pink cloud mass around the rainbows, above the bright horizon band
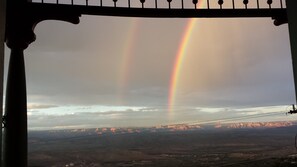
245	62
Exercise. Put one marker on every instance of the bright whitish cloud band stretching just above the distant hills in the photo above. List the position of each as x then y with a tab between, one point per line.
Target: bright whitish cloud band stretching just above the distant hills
157	116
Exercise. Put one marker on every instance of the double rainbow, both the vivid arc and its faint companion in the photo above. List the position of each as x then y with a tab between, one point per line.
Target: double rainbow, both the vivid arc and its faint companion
178	62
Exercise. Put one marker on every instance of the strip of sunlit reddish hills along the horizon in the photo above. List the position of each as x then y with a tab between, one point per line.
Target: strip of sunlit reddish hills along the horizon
167	128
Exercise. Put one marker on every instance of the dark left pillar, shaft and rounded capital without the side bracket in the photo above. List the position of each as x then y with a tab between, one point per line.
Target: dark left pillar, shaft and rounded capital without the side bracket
19	35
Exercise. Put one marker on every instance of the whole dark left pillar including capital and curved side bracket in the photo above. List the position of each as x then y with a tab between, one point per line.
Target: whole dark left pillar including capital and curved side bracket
21	21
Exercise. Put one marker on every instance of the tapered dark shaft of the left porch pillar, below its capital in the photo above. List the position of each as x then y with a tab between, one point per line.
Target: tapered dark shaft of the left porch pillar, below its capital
15	130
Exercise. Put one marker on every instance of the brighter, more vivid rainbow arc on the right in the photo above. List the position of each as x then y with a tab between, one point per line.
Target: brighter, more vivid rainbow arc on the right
179	59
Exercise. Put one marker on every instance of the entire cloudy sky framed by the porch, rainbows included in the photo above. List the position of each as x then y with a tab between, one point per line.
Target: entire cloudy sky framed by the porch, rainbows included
119	72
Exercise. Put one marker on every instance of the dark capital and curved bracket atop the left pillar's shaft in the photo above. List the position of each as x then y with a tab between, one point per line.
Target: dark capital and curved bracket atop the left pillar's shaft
23	18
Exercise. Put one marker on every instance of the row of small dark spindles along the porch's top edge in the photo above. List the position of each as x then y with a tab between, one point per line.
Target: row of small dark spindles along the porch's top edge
176	4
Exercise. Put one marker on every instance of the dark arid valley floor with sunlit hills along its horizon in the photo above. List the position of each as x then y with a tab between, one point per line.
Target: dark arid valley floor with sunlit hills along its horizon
252	144
